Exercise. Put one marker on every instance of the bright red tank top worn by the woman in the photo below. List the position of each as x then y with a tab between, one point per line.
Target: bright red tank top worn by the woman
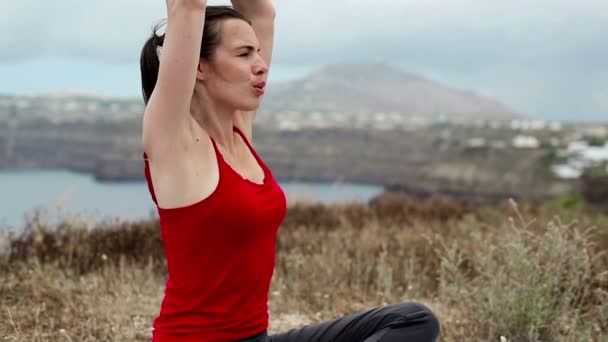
220	256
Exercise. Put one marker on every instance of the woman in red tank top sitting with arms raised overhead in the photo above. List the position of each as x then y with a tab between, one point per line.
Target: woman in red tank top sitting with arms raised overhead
219	205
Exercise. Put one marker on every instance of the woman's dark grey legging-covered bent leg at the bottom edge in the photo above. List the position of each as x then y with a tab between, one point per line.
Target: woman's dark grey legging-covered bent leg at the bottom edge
411	322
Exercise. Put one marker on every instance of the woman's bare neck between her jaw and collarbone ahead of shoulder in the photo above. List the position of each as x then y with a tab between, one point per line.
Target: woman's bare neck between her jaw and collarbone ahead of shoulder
215	119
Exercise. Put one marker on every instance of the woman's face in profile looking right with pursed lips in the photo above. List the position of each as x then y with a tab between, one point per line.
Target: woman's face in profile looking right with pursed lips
235	75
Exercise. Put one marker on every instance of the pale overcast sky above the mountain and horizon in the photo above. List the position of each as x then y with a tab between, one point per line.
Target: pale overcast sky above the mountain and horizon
545	59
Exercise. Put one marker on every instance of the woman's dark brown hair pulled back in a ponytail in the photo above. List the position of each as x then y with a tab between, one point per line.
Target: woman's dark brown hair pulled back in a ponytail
212	37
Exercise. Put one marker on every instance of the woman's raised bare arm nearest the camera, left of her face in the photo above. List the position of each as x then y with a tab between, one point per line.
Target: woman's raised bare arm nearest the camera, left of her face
166	114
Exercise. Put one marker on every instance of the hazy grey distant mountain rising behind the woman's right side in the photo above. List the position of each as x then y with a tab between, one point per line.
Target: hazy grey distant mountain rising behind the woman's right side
371	88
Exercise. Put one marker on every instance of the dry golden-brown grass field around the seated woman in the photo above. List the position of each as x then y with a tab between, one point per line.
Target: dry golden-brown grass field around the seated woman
485	272
